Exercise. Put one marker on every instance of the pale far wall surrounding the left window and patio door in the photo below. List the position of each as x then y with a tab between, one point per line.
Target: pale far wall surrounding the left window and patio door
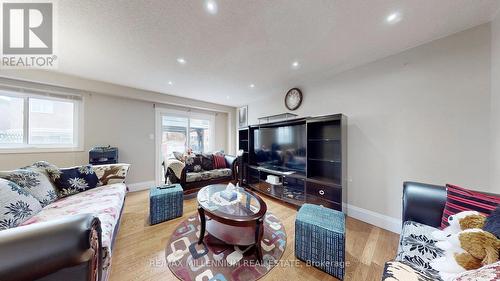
122	117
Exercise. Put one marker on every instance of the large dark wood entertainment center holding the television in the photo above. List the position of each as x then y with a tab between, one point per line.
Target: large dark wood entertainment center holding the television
303	160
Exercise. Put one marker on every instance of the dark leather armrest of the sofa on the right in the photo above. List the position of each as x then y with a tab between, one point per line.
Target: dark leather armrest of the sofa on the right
423	203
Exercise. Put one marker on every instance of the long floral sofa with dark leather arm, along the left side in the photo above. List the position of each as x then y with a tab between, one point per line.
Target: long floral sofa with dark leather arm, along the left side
70	238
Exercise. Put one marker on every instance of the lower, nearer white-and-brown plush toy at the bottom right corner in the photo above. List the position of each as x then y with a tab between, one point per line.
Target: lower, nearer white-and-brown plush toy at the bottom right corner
466	250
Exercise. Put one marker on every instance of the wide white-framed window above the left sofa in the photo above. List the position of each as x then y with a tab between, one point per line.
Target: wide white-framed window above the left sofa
35	122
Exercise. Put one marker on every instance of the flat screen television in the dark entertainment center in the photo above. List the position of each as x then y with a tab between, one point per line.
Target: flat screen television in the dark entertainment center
281	148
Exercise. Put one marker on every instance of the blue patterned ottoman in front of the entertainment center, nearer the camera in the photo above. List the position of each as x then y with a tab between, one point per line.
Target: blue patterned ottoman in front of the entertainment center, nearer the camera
320	238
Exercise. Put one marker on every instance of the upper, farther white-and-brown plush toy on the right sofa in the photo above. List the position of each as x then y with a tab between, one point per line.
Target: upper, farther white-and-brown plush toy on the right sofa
458	222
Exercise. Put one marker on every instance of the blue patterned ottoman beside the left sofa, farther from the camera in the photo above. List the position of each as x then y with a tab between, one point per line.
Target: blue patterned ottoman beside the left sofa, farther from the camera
165	204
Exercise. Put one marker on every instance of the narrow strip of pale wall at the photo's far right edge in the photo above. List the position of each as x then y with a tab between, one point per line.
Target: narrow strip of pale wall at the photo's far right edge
495	104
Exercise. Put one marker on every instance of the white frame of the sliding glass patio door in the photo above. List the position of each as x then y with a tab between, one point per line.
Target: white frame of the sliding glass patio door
159	112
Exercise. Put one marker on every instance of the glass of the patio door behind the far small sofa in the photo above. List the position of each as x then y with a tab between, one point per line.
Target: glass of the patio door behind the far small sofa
180	131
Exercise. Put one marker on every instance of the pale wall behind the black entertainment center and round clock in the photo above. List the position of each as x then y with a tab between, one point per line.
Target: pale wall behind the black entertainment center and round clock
420	115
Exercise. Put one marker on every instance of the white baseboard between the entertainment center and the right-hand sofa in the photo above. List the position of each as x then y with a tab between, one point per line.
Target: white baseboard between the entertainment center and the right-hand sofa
382	221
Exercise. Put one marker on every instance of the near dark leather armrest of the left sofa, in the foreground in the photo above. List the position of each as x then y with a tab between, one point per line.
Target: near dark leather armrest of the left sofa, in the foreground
68	248
